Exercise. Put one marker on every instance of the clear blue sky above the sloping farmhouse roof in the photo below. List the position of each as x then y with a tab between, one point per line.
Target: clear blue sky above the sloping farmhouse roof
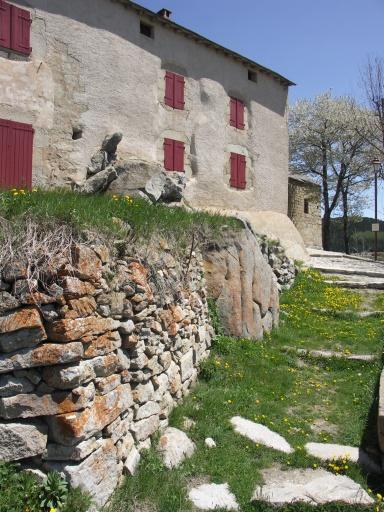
318	44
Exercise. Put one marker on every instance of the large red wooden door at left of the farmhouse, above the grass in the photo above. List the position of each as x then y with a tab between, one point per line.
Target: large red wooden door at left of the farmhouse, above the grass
16	147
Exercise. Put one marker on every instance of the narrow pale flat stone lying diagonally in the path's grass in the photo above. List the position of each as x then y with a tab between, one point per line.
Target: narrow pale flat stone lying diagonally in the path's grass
260	434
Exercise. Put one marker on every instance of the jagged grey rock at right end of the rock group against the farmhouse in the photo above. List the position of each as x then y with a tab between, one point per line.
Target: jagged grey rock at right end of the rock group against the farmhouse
166	187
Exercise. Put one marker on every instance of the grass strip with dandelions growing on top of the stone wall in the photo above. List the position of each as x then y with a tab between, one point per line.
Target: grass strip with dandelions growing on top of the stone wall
111	215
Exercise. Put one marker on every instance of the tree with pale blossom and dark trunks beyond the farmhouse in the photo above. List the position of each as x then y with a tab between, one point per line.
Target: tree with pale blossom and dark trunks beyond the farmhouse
327	146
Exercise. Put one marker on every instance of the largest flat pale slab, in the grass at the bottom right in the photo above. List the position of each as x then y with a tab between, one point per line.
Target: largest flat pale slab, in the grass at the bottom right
315	487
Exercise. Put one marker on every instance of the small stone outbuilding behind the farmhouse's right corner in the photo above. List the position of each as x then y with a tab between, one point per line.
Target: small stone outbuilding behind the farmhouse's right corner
304	209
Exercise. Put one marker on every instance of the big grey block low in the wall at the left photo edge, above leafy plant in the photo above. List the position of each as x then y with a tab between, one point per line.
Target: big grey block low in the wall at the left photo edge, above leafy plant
22	440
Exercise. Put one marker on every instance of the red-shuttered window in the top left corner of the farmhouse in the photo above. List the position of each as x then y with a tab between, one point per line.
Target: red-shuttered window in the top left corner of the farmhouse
15	28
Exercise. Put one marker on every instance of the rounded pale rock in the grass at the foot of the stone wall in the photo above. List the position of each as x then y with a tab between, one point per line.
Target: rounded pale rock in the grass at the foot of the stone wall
175	446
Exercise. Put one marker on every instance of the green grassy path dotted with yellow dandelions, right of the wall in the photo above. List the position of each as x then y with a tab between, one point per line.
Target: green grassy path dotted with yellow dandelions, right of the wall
261	383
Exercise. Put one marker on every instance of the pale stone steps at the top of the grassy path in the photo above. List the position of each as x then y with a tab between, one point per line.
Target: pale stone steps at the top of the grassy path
346	270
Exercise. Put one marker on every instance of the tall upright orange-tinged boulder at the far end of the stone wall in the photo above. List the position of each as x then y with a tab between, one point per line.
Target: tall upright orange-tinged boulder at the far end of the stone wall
243	285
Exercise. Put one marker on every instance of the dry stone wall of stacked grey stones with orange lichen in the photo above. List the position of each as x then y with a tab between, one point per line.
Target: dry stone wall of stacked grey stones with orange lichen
93	361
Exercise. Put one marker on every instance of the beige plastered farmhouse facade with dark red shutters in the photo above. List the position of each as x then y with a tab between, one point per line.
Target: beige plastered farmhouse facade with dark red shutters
72	72
